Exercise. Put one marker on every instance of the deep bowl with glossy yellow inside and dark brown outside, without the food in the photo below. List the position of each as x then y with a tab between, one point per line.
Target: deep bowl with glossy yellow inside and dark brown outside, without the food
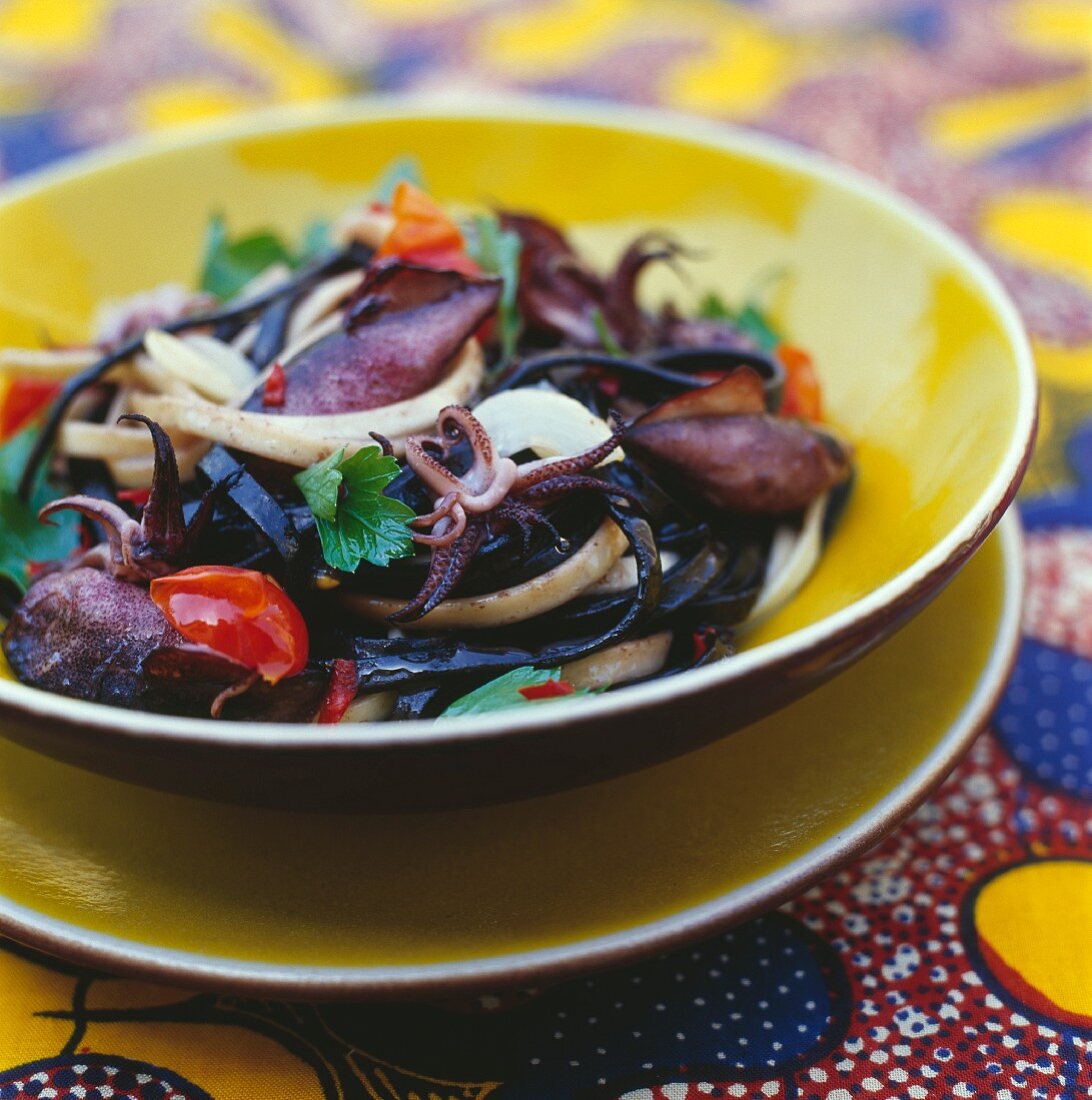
923	361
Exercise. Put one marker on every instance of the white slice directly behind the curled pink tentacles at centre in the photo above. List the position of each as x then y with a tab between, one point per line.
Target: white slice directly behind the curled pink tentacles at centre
545	422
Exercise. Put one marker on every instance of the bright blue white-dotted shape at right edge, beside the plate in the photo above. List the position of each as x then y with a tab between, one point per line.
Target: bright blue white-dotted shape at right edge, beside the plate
1045	718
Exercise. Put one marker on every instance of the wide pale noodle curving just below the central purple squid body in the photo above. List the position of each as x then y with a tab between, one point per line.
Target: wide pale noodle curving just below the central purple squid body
304	441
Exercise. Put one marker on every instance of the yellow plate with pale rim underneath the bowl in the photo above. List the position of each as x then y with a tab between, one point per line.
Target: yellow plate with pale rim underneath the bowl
304	906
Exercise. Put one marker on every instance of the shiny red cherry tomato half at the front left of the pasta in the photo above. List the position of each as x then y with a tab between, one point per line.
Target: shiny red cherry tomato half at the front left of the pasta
240	613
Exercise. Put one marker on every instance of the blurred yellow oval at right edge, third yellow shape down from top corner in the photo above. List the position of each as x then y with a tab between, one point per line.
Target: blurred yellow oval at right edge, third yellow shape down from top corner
1045	228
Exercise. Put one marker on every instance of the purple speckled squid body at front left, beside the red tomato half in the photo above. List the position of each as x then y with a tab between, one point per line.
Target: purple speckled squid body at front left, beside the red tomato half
89	635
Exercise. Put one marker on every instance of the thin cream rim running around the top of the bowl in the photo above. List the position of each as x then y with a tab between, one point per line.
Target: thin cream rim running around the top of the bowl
872	611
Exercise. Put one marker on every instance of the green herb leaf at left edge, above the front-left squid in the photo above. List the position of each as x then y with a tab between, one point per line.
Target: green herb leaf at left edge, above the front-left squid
24	538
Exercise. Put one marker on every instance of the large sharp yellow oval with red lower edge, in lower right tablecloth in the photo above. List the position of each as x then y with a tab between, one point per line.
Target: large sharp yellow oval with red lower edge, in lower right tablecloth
1033	925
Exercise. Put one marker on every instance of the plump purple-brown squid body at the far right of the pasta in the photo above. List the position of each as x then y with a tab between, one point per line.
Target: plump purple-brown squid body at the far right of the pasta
745	464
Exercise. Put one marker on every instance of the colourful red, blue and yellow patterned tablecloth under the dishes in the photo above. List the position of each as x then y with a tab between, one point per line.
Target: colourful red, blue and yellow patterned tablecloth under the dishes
955	960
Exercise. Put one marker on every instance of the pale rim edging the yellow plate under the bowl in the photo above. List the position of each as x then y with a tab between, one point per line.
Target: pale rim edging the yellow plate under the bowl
557	964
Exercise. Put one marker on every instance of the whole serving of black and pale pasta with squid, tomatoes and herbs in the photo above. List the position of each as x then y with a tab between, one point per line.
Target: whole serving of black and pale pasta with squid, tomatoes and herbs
431	469
